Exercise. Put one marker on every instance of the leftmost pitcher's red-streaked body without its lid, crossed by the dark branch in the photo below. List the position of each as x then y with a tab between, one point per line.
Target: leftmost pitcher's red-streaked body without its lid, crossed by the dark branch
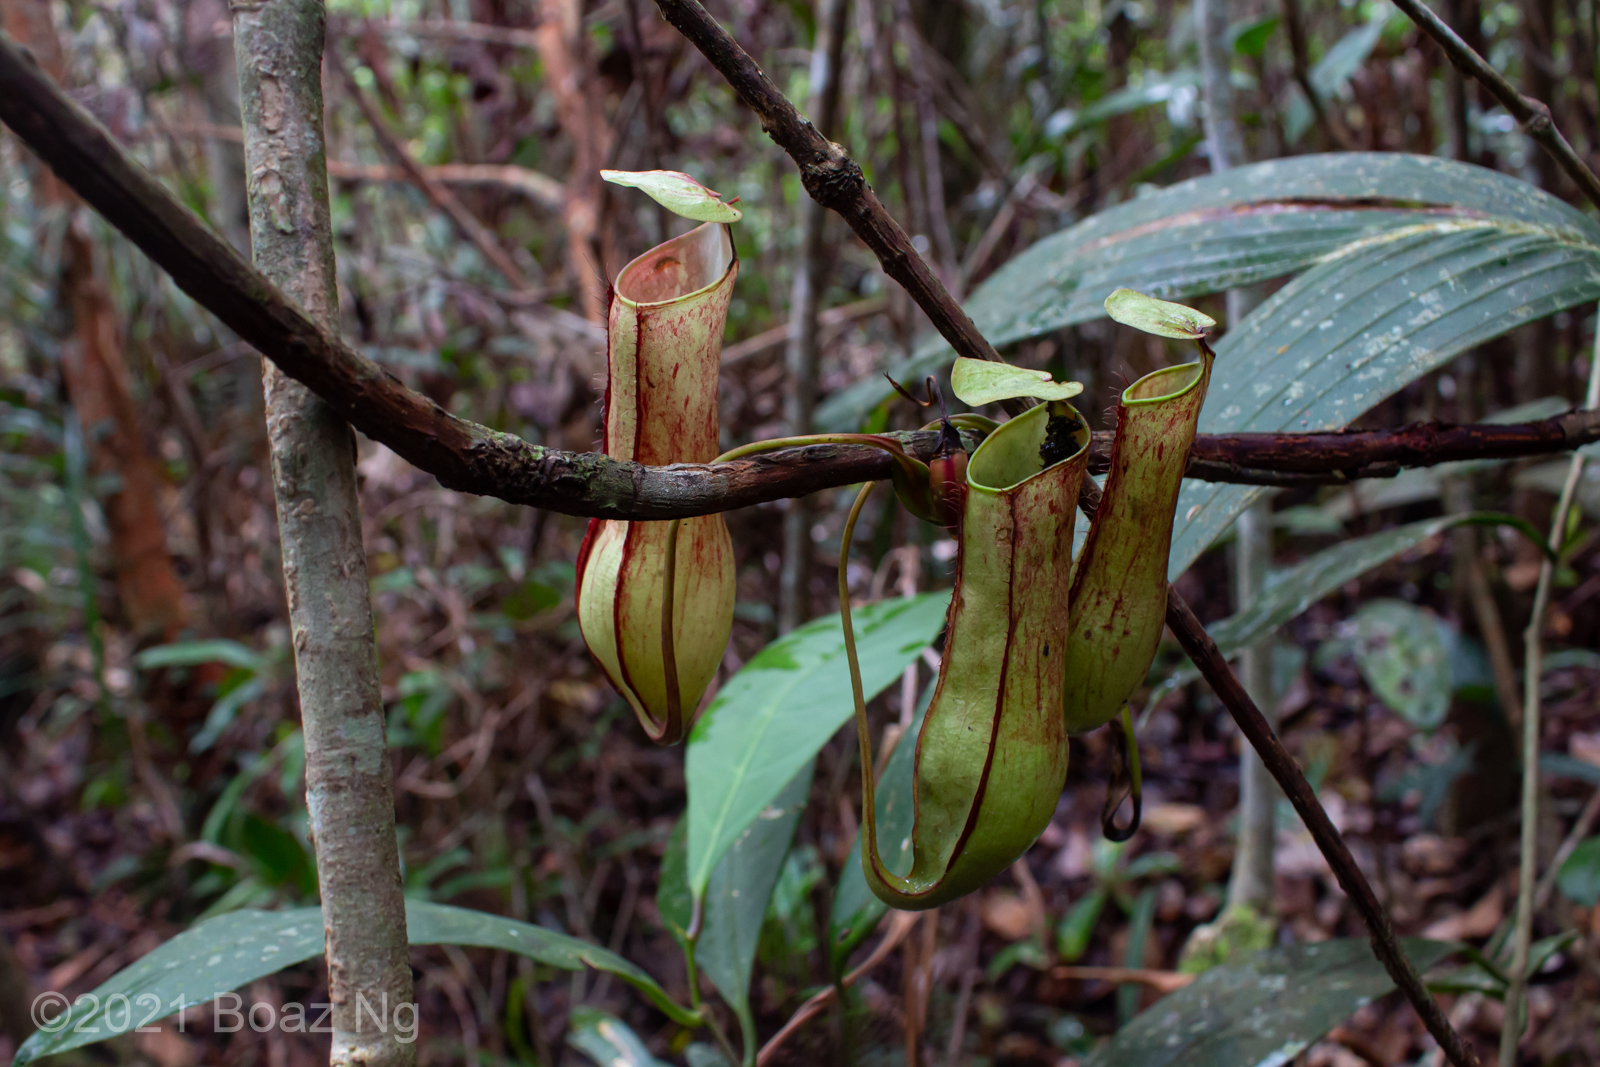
662	409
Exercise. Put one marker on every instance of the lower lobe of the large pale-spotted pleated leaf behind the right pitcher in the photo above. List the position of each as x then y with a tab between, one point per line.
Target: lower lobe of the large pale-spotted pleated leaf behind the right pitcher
1359	327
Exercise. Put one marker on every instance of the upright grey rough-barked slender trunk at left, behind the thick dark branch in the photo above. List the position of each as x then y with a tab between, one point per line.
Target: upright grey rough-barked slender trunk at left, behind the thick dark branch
348	777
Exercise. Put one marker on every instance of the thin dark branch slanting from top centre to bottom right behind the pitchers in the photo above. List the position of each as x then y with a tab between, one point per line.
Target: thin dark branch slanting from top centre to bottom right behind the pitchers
836	182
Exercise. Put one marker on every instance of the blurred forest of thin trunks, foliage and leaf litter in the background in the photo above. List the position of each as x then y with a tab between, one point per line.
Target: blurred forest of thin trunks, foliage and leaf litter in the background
150	743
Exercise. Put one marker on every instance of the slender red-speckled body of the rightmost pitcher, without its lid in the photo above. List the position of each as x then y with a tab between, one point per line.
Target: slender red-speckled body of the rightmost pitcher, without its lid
1119	588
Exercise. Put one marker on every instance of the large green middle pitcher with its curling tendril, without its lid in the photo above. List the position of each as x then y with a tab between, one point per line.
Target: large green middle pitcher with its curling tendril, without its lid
993	749
